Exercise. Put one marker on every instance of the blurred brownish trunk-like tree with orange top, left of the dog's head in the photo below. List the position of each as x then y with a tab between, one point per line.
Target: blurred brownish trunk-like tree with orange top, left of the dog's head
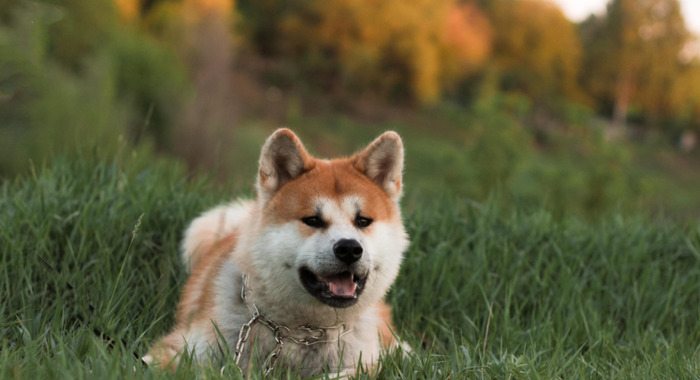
201	32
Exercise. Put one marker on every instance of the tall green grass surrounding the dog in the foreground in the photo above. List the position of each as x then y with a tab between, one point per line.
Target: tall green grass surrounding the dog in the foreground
90	276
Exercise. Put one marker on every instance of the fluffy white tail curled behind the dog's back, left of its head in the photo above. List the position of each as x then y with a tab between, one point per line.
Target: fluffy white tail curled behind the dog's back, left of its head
209	228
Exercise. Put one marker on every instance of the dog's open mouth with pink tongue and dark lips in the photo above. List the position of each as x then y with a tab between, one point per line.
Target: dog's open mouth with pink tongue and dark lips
336	290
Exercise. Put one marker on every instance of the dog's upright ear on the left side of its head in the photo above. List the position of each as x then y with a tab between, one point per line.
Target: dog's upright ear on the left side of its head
282	159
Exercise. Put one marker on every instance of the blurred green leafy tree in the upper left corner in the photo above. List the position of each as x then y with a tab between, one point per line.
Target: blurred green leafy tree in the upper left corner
74	67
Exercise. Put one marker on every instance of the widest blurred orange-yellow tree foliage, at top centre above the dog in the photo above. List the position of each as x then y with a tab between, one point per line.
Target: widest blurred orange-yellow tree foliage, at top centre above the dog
394	48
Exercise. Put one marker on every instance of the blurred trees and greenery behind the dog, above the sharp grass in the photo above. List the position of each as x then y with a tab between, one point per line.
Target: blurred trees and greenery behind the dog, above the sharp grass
505	99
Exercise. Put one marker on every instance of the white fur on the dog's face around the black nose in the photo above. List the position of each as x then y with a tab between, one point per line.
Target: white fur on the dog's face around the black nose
282	250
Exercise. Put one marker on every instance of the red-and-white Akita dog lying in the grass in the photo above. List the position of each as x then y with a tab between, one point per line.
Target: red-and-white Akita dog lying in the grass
296	278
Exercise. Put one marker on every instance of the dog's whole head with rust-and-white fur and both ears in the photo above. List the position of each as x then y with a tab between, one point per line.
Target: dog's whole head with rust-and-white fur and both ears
330	230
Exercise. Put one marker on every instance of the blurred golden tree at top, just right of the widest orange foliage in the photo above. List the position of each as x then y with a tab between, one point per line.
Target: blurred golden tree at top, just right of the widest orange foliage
537	49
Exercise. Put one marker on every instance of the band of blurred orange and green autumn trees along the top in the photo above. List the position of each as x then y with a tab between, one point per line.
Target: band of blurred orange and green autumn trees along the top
635	62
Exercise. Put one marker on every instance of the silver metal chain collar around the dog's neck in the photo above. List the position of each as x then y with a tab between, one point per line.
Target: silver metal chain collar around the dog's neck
311	335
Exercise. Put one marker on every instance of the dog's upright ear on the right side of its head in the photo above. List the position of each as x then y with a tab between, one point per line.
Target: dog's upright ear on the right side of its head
382	162
